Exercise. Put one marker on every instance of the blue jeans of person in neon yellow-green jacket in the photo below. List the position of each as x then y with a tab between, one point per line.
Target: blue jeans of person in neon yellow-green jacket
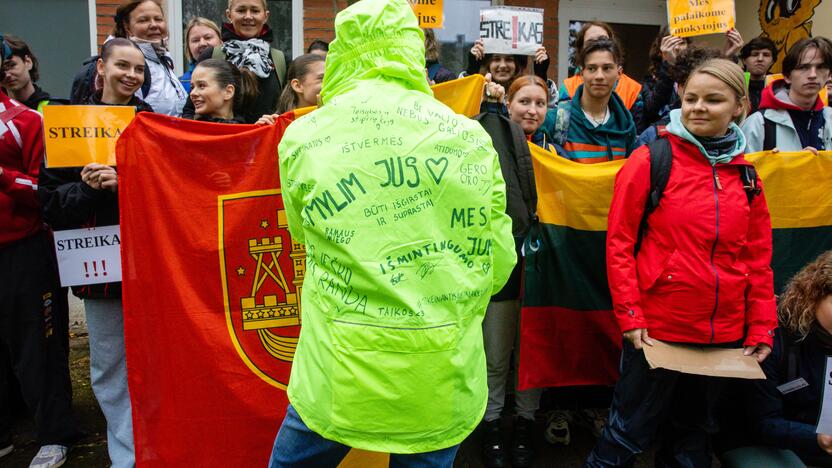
297	446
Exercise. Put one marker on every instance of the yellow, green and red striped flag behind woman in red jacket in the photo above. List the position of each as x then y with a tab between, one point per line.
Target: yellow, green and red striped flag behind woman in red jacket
569	335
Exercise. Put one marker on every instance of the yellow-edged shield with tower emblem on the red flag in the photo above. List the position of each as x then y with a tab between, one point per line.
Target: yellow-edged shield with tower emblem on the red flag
262	274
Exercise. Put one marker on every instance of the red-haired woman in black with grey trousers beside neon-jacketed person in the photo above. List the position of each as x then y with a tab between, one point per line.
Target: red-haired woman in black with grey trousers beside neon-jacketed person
501	325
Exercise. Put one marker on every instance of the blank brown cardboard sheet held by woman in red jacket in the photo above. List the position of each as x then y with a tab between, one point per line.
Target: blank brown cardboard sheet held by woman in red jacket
699	360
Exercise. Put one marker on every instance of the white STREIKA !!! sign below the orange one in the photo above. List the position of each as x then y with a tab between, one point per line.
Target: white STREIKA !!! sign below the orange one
89	256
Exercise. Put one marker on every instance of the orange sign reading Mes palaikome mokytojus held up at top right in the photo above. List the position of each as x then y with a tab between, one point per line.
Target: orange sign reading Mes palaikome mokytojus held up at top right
698	17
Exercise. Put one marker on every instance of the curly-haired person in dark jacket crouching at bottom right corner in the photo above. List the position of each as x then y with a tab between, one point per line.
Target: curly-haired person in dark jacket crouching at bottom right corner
783	410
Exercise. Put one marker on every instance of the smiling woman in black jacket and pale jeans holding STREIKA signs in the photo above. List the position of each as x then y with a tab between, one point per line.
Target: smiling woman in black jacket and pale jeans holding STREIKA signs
88	197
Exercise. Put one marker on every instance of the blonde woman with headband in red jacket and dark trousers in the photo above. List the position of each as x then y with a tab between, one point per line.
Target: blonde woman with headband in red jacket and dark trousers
701	274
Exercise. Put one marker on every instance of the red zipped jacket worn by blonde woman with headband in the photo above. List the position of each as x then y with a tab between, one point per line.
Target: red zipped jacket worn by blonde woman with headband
703	272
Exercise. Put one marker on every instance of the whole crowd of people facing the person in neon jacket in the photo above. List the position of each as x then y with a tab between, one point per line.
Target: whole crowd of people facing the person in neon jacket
701	244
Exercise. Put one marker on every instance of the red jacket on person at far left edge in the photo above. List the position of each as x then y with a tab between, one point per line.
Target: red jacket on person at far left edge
21	151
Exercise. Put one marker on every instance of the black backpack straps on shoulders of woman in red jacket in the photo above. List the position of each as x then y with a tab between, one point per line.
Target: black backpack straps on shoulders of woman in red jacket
661	159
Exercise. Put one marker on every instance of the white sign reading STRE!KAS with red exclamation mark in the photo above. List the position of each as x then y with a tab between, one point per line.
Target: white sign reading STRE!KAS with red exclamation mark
511	30
